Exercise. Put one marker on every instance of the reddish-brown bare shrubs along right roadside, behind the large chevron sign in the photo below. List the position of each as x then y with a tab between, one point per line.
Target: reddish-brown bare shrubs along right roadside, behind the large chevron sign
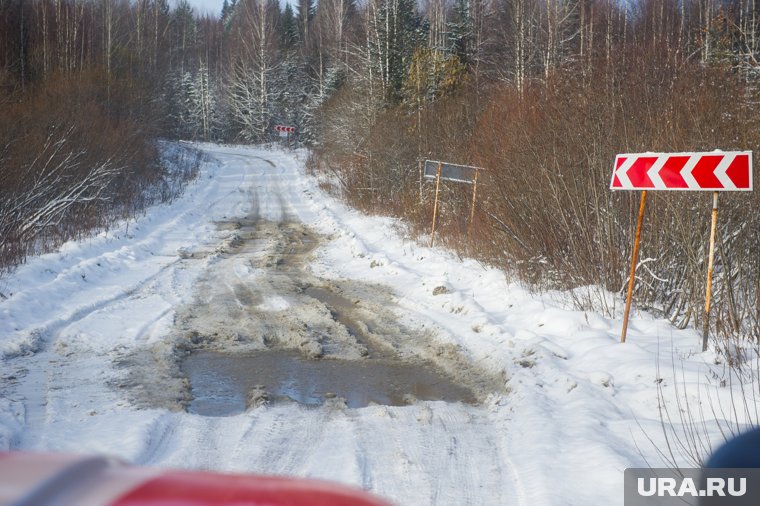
545	210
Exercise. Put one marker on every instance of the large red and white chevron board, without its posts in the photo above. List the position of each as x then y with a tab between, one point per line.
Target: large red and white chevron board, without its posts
714	171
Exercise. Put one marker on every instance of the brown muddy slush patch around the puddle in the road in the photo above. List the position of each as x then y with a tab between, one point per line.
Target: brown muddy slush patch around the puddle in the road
257	295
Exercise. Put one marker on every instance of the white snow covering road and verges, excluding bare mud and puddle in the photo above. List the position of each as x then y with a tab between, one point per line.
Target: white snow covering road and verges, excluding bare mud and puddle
575	407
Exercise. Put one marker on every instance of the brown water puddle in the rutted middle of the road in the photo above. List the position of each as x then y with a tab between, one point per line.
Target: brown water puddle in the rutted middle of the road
223	384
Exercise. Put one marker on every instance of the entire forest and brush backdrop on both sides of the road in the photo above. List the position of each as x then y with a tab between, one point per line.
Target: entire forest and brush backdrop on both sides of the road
541	93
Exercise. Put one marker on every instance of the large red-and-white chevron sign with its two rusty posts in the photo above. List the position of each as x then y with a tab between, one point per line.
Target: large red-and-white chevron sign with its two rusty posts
715	171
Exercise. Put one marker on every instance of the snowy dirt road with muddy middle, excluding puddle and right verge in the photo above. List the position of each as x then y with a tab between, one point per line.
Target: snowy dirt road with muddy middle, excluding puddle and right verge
229	270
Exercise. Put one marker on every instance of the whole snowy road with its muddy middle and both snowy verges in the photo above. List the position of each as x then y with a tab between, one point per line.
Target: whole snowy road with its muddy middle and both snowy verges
254	259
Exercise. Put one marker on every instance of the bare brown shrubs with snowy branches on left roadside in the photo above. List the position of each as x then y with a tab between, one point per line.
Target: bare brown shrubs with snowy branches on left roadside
70	163
